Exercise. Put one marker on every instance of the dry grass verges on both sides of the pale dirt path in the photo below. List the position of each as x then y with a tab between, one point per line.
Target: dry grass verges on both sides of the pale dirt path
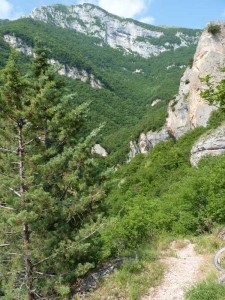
135	277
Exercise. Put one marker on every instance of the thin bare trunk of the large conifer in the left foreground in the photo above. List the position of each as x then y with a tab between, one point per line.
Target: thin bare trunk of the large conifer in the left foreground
26	232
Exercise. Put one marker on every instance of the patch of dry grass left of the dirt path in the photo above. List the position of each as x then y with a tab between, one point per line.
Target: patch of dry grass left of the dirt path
133	279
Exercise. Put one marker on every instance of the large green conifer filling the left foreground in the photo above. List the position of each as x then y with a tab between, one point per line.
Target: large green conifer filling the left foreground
49	198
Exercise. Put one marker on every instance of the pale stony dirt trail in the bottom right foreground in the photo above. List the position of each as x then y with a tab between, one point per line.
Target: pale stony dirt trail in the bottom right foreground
182	271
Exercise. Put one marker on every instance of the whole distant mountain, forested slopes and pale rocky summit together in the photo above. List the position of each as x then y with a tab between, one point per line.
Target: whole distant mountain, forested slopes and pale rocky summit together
131	82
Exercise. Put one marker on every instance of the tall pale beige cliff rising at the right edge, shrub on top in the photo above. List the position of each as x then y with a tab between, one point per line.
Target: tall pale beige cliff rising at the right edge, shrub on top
188	110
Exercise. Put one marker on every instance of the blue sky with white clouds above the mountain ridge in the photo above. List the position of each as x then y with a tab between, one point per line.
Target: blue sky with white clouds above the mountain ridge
184	13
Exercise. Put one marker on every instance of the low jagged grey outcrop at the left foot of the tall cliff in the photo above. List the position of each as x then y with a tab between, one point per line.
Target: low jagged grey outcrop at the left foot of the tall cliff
147	141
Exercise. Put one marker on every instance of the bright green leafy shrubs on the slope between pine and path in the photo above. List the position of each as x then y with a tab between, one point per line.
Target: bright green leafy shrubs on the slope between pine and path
164	193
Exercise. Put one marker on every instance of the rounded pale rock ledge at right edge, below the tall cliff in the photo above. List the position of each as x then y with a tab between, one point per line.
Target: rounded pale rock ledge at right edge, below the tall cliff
211	144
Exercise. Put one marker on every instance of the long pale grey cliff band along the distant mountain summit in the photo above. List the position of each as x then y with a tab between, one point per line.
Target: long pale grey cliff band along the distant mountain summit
130	35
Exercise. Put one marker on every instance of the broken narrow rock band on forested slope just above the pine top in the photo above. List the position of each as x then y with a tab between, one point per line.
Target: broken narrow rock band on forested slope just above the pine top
72	72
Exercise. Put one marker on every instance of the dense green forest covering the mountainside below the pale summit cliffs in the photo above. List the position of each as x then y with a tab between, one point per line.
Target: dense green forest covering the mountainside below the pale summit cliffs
130	81
